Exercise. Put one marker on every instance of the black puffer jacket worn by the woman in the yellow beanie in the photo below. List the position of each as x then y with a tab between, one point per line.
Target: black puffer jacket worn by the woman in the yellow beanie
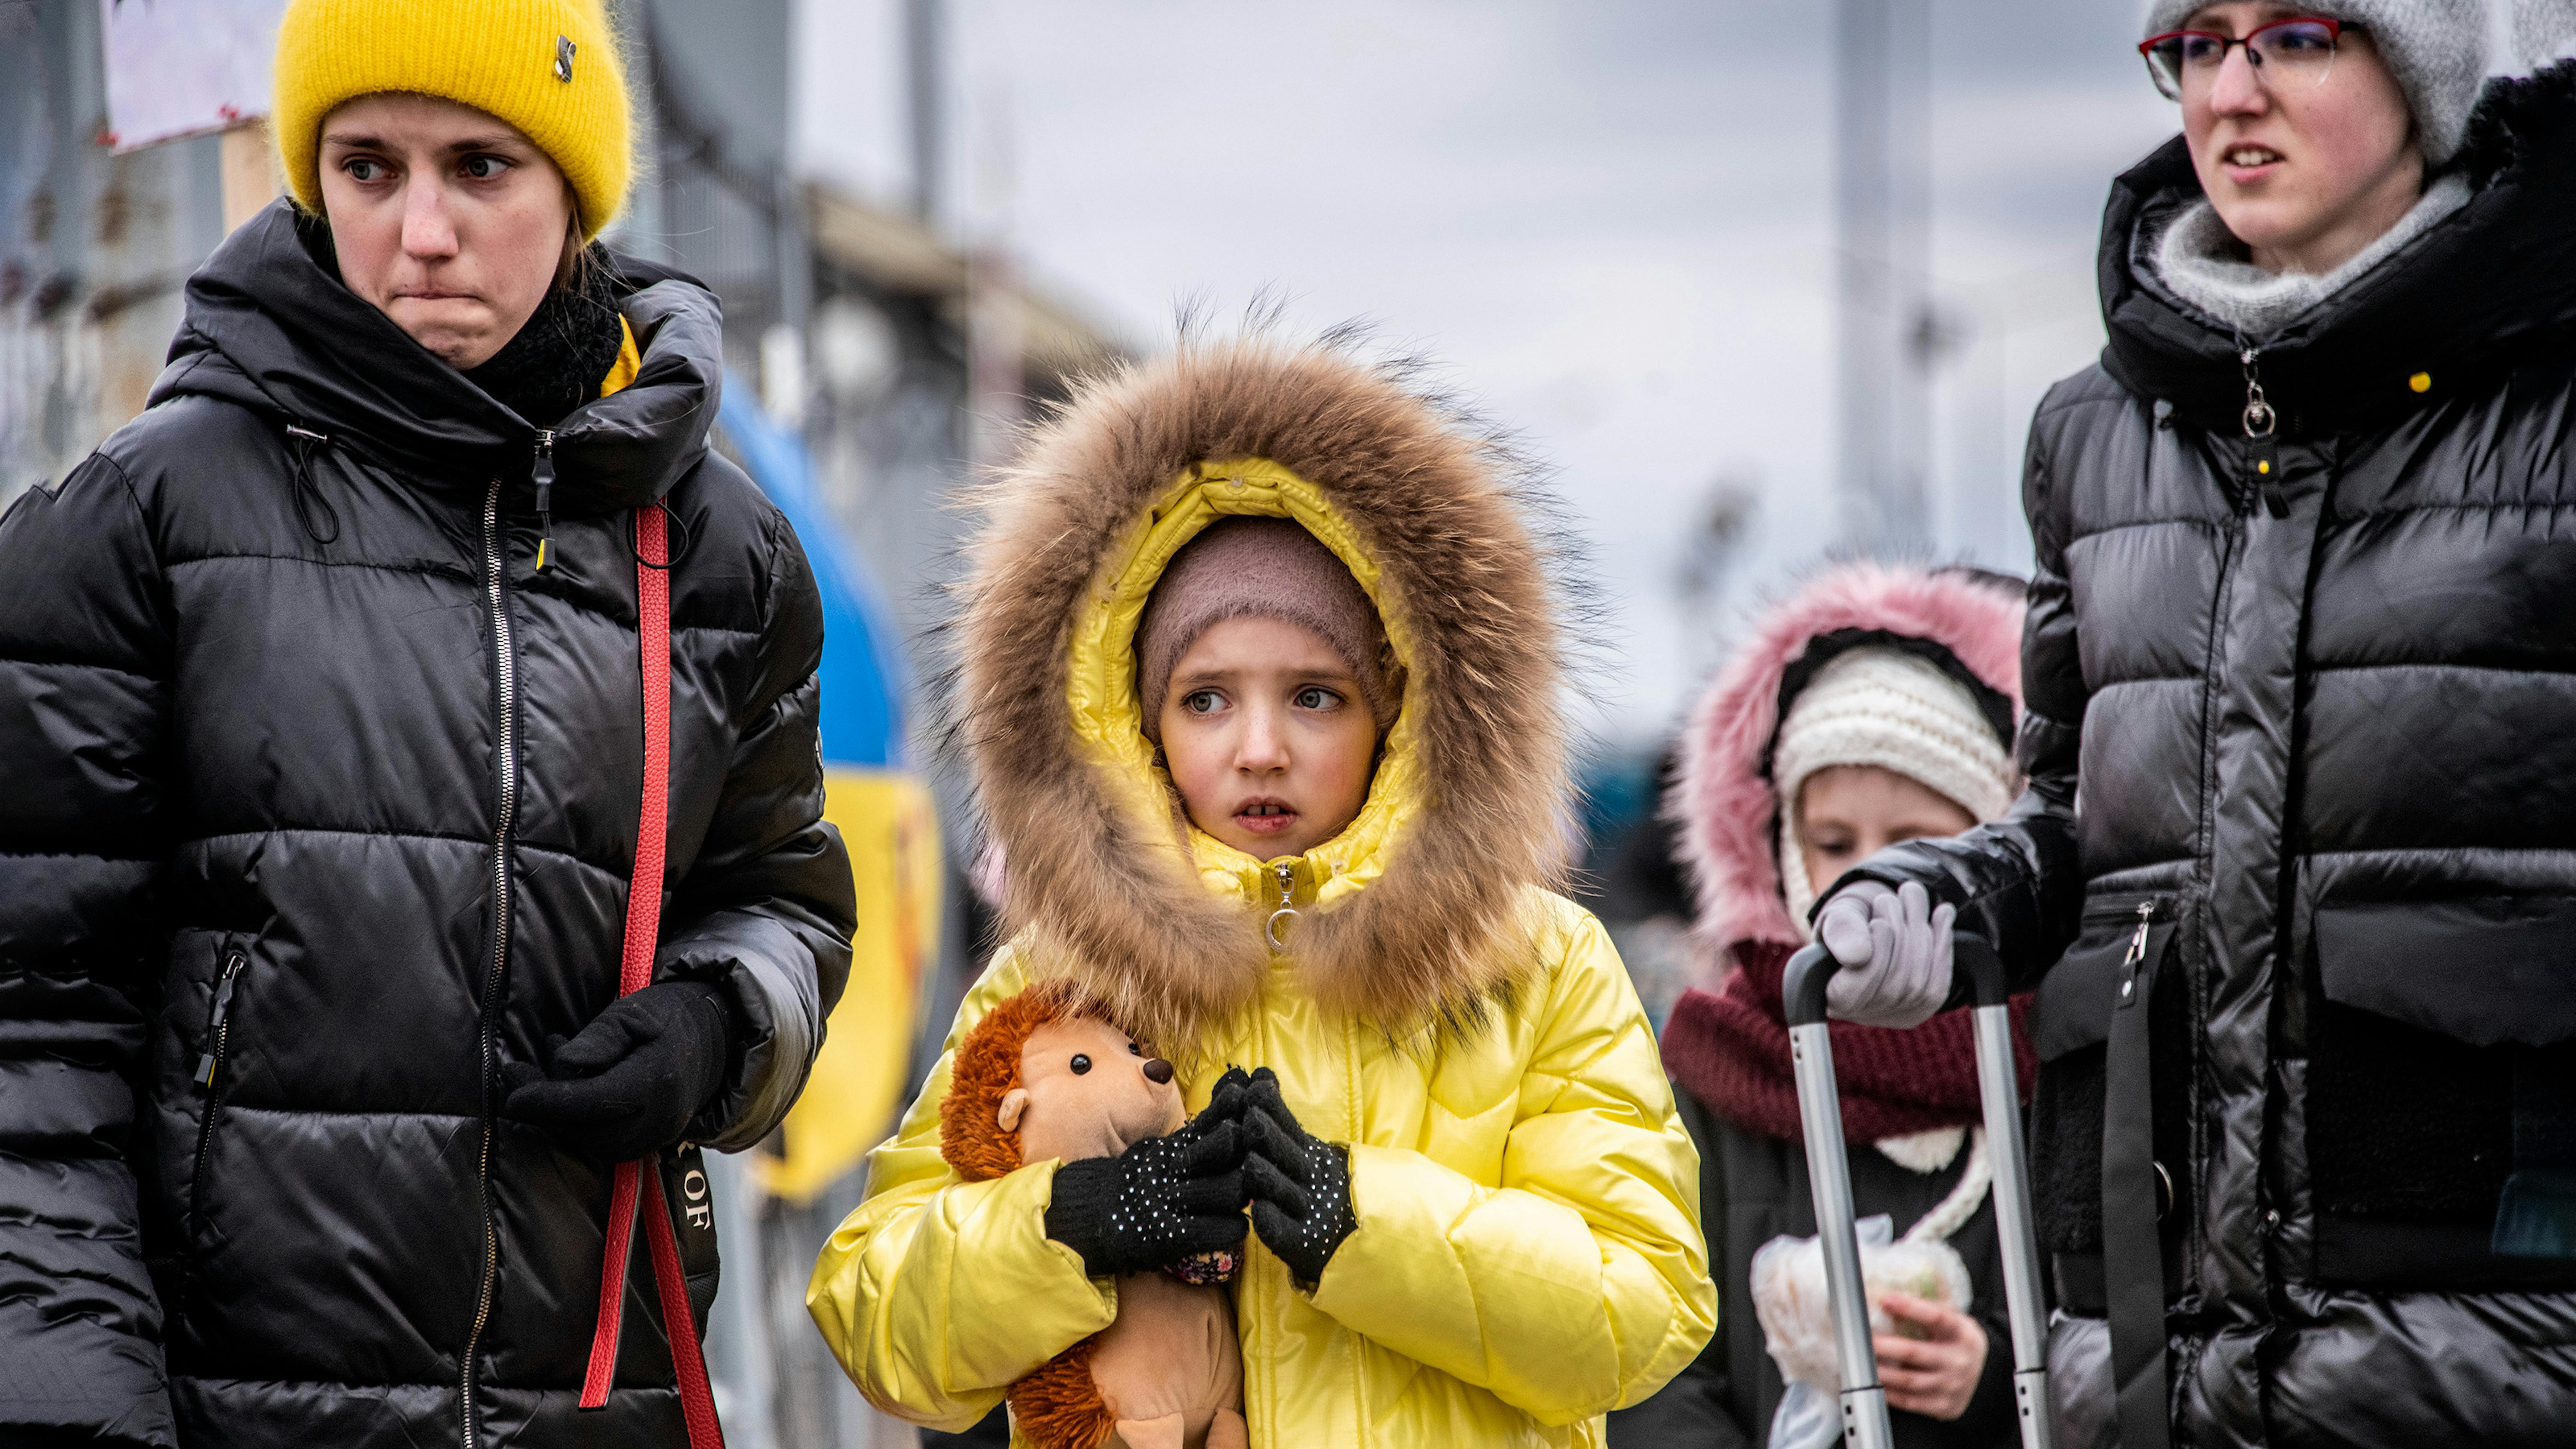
305	722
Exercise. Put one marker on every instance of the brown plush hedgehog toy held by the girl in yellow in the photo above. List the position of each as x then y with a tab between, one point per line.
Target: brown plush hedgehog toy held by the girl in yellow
1050	1077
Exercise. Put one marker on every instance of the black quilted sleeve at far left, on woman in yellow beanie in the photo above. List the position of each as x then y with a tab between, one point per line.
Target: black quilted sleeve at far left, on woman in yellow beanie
84	732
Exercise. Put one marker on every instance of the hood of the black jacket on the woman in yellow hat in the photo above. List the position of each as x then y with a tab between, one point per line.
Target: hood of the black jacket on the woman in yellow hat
272	328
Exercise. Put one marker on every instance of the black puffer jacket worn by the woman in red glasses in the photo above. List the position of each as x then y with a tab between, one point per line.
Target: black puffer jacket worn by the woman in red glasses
2315	706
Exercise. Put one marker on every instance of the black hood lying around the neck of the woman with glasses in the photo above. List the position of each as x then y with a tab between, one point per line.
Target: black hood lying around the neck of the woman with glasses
2454	308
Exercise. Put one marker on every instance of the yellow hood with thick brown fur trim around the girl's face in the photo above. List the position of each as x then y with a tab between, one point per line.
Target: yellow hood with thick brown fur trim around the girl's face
1408	918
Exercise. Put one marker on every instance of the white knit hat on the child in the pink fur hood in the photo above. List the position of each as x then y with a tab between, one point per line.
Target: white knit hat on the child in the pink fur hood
1887	709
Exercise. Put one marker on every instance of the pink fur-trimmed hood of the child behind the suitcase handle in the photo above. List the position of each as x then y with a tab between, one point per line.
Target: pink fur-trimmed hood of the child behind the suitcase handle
1725	799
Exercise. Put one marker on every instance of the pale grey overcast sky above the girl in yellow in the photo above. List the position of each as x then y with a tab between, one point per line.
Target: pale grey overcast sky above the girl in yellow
1611	220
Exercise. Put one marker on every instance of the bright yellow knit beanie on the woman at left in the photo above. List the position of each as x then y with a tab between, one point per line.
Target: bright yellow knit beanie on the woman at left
542	66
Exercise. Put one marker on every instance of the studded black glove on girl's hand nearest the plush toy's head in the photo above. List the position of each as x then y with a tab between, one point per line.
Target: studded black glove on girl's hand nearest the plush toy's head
1163	1198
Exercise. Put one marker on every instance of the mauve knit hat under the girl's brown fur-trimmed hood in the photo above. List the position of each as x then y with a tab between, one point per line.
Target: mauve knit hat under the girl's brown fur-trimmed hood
1258	568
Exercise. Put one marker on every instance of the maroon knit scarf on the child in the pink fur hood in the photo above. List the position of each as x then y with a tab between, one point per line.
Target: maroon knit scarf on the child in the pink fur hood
1730	1049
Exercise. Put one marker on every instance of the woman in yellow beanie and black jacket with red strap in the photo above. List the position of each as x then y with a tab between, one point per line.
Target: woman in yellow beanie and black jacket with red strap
323	699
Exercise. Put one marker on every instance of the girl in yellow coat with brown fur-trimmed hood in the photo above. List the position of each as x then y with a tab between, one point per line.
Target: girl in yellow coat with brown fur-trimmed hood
1289	797
